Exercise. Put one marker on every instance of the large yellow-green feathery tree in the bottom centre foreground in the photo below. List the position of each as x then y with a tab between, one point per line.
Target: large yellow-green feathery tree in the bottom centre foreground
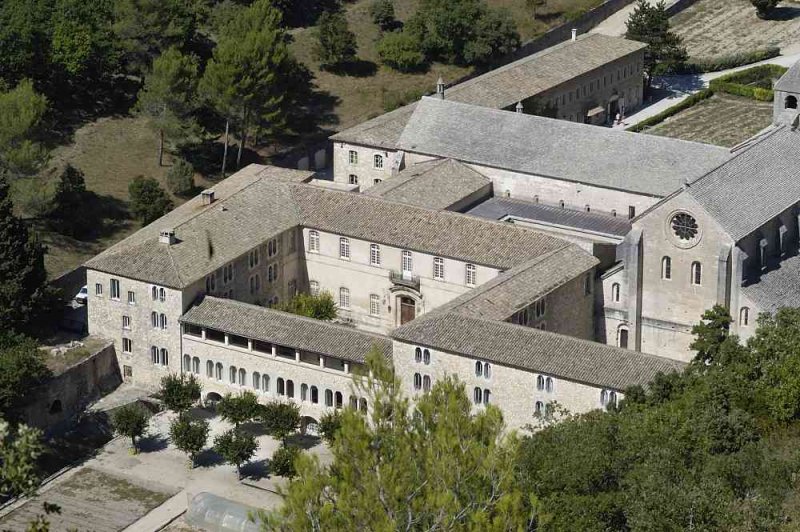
431	465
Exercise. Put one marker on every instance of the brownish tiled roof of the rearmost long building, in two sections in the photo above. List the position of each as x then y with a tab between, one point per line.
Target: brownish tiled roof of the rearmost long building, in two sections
505	86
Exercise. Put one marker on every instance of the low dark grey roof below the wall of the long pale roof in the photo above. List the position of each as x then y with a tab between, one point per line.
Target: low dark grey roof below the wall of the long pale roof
501	208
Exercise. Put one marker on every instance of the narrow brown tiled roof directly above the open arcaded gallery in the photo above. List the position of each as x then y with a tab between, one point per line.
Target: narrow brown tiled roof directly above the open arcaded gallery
281	328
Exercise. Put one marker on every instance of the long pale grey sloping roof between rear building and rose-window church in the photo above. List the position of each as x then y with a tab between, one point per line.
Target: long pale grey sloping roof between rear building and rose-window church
644	164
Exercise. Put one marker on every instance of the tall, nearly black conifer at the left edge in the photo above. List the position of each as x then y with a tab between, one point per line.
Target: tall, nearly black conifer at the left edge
23	291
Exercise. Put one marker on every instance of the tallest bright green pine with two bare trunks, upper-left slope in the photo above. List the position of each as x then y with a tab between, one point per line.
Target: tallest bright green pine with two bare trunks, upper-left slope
250	72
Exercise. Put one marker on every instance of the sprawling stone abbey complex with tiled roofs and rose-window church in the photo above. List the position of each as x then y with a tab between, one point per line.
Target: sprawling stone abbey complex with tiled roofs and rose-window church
539	260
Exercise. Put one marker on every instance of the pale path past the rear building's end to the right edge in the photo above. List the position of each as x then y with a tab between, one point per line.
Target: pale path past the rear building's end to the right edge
683	86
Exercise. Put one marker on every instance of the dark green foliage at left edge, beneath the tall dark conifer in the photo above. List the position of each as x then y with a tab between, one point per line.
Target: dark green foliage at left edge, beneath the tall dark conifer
22	369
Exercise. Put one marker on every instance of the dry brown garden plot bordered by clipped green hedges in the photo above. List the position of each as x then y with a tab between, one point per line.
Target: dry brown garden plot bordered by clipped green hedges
722	120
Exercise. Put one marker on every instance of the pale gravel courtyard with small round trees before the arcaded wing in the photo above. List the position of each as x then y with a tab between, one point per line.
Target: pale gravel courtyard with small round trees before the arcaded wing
115	489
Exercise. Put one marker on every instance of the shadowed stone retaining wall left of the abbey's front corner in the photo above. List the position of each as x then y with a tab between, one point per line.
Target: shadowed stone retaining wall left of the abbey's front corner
55	405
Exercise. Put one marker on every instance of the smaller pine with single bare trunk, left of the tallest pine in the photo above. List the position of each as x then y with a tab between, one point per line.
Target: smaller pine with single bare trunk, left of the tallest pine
169	98
